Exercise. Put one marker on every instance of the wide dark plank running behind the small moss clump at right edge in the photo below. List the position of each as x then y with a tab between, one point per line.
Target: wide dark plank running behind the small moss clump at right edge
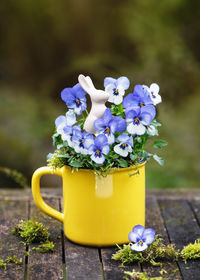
182	228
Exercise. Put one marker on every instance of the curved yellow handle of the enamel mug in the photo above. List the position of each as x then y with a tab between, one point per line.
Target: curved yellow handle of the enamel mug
37	195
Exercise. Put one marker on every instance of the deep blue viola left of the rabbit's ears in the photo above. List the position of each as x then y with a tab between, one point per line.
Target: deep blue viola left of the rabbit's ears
75	98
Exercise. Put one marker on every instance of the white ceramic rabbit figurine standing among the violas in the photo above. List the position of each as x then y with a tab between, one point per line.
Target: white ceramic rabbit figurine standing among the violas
98	100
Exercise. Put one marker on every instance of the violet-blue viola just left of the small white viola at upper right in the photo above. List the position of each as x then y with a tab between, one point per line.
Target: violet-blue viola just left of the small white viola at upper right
139	98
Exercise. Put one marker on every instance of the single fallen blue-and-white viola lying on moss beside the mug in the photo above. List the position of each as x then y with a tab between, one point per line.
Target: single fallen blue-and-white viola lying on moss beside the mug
141	237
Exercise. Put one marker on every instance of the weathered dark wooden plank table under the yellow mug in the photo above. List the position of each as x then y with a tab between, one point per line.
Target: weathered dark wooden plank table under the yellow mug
173	214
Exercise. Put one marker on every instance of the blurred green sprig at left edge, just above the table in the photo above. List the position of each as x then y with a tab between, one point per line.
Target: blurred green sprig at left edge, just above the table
18	177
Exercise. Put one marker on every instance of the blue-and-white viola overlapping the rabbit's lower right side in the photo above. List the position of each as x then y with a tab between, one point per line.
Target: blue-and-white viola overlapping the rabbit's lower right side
109	125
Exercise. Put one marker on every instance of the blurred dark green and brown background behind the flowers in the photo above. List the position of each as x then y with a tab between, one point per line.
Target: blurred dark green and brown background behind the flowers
44	45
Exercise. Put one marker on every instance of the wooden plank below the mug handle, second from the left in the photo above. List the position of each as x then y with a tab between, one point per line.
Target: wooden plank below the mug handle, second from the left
48	265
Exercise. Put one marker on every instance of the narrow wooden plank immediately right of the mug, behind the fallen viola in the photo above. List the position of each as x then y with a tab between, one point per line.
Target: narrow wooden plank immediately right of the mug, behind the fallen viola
154	220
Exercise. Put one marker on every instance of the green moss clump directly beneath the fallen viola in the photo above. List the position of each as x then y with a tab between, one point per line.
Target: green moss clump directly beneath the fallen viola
156	251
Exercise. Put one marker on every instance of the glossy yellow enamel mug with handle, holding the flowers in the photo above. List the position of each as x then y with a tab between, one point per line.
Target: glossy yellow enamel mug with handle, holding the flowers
98	211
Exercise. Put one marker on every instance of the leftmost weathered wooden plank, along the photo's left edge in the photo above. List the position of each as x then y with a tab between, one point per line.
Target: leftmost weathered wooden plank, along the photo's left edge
11	212
